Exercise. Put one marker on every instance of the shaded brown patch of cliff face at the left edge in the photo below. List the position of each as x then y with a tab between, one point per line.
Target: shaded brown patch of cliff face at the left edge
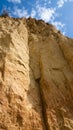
4	49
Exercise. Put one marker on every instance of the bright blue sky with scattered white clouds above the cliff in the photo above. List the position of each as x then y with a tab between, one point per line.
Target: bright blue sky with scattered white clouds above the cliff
57	12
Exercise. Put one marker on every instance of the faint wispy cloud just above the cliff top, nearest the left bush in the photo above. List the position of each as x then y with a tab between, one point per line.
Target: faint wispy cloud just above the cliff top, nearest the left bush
20	12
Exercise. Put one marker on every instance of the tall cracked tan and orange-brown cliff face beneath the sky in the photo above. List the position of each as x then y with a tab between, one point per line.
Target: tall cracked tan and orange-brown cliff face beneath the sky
36	76
